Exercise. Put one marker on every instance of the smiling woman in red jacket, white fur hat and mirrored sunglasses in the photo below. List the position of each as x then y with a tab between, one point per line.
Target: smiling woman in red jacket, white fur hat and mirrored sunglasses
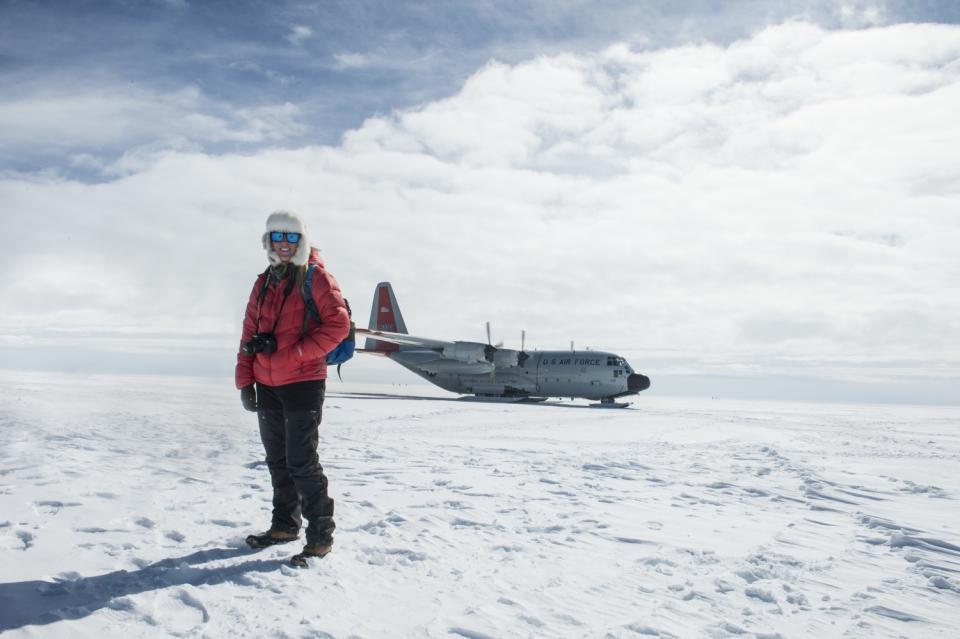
281	373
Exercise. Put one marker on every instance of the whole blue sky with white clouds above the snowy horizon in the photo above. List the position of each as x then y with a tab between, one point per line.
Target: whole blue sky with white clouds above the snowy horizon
744	198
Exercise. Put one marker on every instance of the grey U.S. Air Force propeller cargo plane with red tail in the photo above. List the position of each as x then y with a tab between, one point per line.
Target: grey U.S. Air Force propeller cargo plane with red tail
493	372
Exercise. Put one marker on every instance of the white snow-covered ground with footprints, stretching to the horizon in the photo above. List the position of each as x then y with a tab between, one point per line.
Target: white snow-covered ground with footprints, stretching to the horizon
124	503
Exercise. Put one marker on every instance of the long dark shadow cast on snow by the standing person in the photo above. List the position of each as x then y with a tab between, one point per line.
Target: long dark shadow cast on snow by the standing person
43	602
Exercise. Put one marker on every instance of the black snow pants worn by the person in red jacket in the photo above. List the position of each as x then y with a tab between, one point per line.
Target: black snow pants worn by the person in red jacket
289	417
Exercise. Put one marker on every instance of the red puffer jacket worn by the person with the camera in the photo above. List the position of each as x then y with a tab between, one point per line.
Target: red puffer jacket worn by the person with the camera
296	359
